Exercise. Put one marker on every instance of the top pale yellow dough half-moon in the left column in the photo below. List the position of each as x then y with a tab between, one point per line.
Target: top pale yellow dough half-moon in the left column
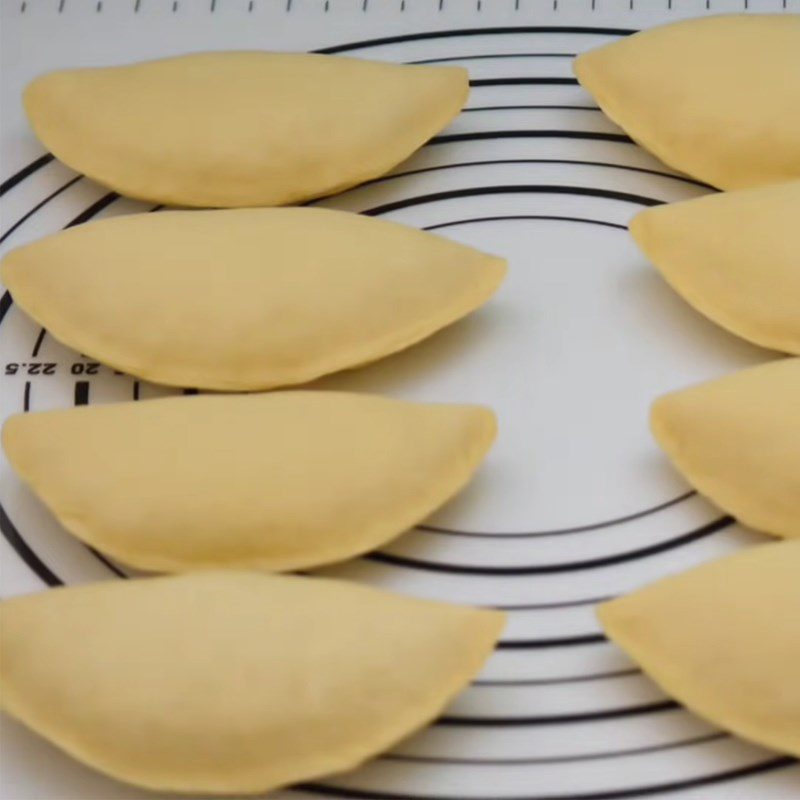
241	128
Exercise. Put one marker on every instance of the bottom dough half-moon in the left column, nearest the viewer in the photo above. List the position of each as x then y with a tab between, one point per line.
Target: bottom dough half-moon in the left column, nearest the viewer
233	682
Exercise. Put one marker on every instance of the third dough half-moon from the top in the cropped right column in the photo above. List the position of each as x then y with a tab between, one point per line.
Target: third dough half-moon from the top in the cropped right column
737	441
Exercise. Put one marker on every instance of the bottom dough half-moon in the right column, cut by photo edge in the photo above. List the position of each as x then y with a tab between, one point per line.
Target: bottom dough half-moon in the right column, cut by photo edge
723	640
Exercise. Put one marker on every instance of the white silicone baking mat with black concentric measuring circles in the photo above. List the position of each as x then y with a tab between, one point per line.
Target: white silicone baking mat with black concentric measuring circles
575	504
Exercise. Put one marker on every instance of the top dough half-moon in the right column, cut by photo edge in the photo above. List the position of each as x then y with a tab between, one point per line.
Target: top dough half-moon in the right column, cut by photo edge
716	97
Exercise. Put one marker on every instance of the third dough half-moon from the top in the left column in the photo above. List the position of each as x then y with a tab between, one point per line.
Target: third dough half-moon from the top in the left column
277	481
